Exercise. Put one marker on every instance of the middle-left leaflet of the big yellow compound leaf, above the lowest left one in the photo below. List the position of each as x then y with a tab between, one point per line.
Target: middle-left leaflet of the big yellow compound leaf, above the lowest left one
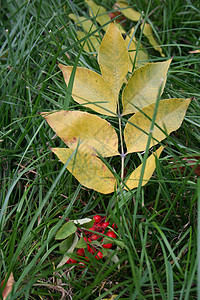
90	133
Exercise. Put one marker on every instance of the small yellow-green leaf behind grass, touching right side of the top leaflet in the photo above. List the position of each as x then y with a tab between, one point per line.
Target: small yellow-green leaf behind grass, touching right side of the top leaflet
142	56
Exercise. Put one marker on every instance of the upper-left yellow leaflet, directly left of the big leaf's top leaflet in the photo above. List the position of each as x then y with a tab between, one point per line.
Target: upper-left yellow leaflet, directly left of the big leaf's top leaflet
91	90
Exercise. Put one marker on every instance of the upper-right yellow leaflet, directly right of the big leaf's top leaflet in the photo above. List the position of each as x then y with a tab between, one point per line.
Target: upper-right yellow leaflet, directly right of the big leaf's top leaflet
143	86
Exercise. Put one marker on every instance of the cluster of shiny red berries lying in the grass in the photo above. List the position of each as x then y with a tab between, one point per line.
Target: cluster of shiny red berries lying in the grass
100	226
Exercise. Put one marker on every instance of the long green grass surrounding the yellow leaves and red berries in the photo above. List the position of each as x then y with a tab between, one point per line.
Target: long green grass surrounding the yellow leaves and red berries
157	223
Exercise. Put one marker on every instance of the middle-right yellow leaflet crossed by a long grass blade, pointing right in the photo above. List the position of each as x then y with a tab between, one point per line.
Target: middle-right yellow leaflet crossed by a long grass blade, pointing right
169	117
